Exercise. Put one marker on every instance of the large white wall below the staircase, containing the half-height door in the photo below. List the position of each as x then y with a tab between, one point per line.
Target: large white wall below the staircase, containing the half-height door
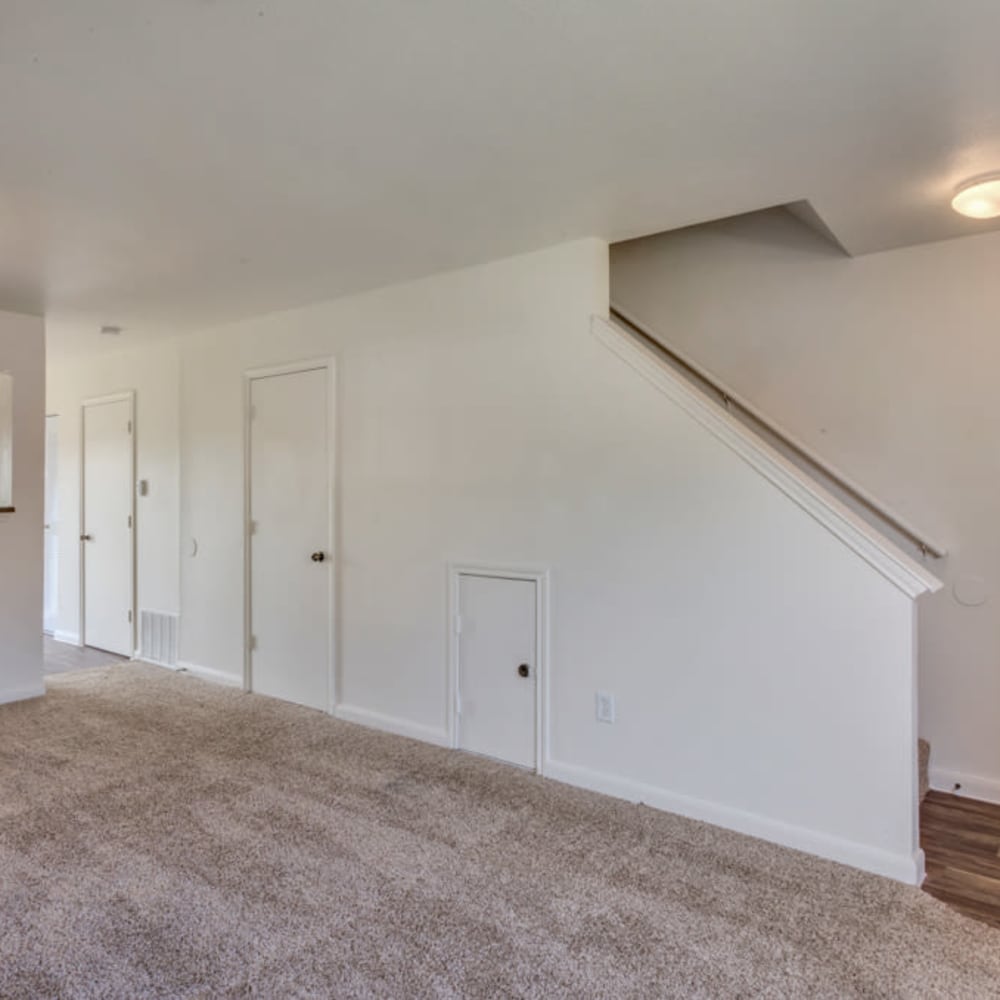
763	671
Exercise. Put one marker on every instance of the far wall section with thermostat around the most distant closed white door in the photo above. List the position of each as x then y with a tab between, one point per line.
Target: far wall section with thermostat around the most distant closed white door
153	372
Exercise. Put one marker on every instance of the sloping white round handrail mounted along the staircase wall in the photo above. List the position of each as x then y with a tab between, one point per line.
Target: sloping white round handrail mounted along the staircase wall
731	400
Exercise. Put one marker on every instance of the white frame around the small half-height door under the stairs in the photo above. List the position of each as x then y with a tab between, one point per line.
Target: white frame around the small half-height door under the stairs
538	576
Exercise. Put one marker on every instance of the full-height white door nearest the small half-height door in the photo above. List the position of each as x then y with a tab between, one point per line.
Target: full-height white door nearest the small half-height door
291	562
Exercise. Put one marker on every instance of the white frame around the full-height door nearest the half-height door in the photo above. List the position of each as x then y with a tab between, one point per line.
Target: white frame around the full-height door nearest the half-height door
327	364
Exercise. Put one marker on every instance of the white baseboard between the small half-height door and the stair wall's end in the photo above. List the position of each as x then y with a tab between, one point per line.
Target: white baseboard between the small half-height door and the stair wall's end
901	867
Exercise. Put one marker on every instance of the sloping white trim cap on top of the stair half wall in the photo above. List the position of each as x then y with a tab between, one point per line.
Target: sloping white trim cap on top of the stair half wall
897	567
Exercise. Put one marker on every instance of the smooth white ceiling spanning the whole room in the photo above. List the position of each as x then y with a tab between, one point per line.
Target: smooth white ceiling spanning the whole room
169	164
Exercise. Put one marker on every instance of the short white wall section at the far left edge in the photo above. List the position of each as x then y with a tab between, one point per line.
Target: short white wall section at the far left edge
22	353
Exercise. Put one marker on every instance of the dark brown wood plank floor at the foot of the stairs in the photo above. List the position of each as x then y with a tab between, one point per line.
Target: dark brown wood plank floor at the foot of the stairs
961	842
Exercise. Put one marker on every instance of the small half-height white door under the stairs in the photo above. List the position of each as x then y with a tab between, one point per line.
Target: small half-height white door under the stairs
497	668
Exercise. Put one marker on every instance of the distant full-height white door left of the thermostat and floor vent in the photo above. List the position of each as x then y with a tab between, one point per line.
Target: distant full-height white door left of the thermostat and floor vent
106	536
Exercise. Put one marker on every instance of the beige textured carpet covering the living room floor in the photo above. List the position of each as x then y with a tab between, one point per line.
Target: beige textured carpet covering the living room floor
161	837
